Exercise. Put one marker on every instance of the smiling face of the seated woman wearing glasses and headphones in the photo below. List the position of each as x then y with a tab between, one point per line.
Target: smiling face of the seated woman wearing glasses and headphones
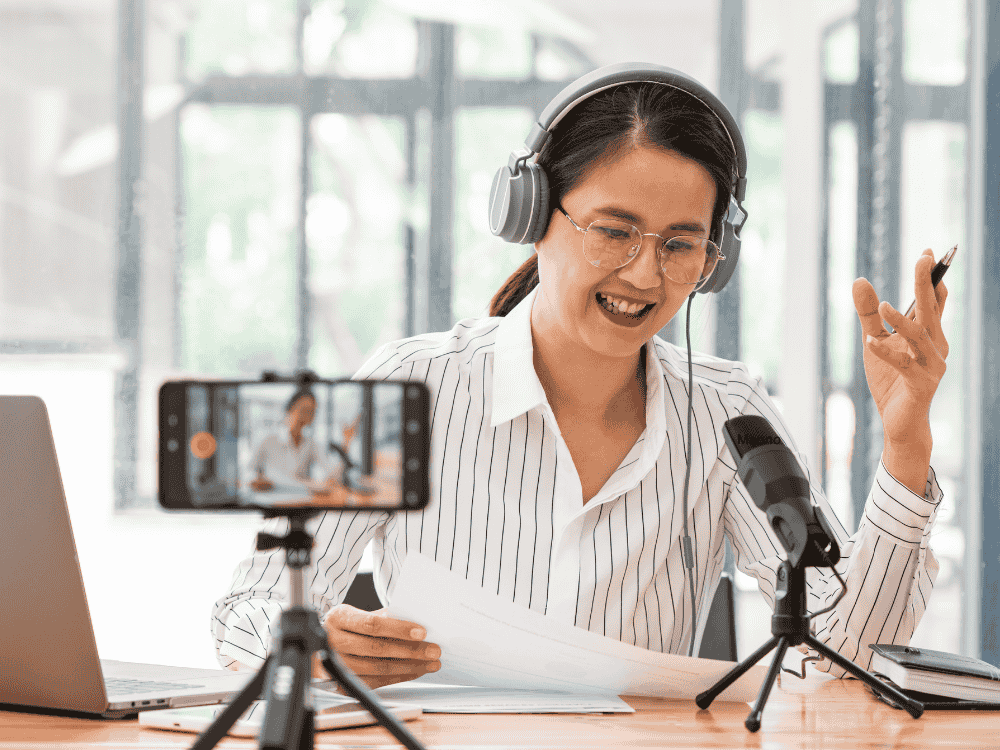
657	191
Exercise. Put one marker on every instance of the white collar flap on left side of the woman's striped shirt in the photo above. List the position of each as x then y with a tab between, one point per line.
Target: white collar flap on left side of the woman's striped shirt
516	388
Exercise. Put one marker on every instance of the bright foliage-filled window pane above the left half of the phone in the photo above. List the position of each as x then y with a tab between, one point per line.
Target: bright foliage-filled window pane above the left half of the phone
240	212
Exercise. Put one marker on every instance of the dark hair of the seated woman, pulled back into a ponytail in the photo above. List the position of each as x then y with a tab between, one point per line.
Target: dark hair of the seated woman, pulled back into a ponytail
609	124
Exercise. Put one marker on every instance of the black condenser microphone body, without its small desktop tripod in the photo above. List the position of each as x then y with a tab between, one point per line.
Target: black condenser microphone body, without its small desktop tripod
779	487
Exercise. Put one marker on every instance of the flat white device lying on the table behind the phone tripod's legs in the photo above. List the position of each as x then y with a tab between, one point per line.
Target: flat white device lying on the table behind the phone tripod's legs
330	714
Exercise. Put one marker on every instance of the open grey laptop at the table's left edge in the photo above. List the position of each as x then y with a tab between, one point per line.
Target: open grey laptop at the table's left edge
48	654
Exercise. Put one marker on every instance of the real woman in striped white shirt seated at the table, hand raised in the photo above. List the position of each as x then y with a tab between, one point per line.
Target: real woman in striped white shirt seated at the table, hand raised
558	431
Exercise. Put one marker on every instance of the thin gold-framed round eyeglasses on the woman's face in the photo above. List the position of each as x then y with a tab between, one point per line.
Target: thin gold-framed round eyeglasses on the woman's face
683	259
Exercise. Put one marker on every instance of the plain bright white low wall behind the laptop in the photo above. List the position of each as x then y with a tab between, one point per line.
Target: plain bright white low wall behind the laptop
151	577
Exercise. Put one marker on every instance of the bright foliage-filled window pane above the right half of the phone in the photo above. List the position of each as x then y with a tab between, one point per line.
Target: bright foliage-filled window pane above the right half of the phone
354	230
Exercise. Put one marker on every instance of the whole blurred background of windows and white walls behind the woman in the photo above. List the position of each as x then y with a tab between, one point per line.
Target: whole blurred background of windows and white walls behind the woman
221	187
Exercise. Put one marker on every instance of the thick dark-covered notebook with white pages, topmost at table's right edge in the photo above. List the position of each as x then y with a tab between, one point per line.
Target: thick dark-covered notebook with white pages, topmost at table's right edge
937	673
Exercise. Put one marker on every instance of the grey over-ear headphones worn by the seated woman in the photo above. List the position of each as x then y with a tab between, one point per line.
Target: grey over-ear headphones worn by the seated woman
519	198
